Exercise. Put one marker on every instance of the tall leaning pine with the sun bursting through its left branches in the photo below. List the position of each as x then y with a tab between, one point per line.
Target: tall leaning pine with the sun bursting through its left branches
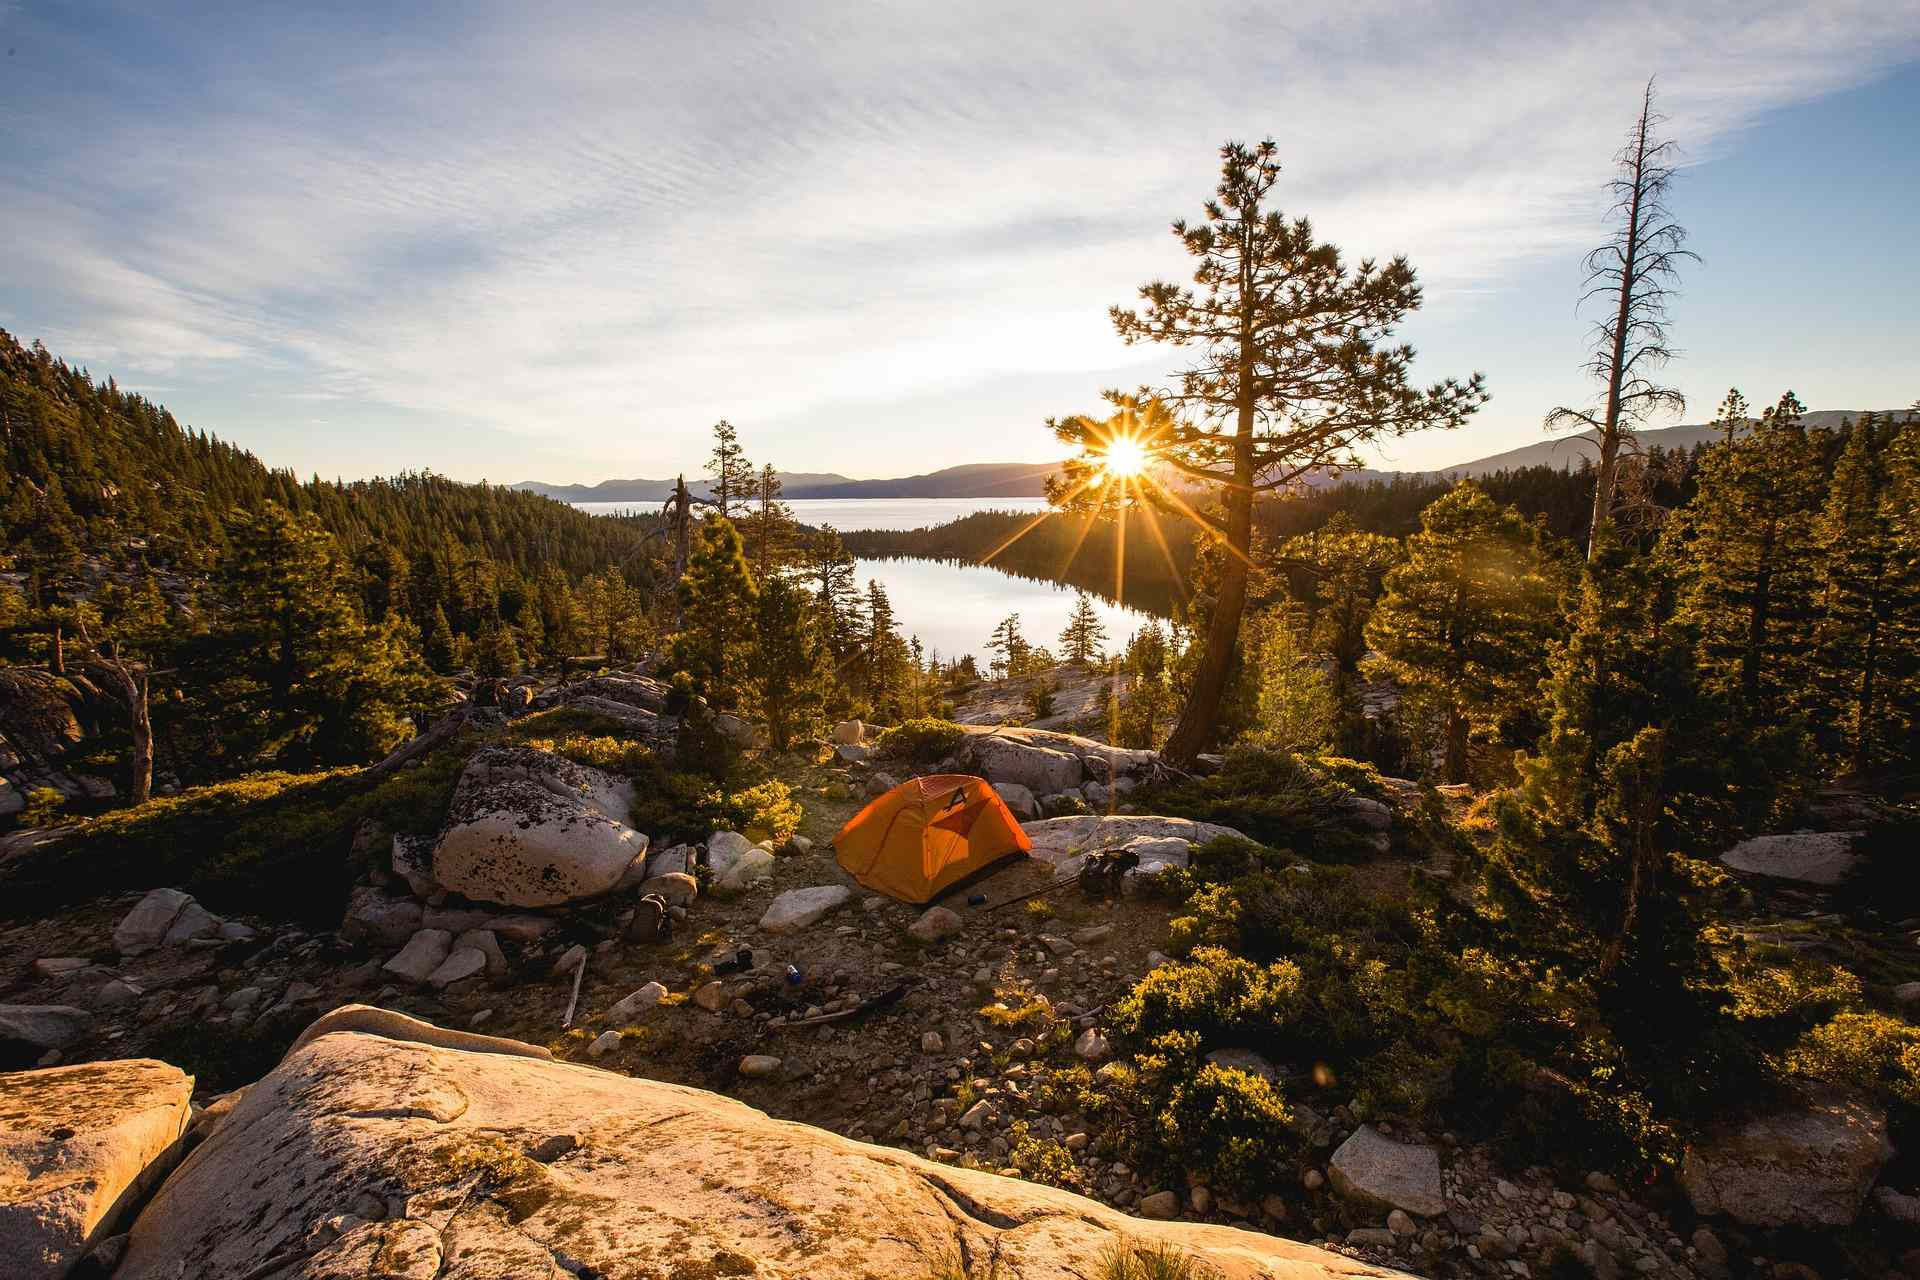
1293	373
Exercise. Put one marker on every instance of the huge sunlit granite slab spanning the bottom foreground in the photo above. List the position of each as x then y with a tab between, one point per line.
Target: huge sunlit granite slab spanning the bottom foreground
491	1166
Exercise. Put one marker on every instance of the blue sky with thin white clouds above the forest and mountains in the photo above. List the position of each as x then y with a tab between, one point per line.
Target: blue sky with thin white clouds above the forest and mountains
560	241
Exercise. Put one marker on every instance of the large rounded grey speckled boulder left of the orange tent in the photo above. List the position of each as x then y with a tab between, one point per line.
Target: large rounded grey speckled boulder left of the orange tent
531	828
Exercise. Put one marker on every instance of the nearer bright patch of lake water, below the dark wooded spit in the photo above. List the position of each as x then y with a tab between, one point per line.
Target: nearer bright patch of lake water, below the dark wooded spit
955	607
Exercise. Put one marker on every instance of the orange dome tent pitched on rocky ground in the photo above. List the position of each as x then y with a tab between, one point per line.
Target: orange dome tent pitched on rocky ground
926	836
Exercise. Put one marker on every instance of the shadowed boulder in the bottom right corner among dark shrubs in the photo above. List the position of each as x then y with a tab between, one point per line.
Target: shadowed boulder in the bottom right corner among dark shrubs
1804	1168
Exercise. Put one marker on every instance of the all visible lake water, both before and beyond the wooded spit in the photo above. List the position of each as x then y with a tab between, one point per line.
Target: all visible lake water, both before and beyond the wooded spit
951	607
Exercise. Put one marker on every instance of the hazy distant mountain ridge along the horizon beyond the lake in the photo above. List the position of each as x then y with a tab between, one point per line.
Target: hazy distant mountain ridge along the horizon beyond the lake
1030	479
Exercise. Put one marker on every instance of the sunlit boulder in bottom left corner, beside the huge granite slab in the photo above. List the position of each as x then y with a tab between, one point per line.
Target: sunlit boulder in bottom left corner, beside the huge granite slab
78	1149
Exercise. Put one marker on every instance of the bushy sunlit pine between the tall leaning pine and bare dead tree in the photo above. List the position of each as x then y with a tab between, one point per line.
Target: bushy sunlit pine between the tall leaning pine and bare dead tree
1466	619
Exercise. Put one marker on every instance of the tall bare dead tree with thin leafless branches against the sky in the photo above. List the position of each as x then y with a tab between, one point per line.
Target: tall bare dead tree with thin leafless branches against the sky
1635	273
